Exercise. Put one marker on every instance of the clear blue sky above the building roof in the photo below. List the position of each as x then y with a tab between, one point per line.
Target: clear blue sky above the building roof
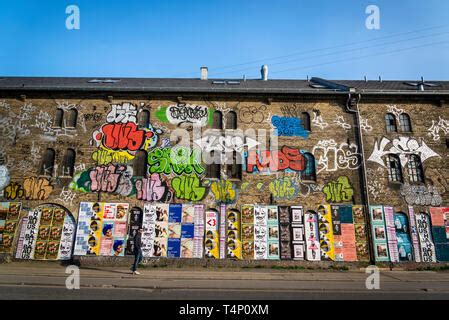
173	38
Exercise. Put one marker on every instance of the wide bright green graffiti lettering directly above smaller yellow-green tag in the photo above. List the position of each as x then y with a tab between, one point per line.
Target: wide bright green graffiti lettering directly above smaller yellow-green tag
179	160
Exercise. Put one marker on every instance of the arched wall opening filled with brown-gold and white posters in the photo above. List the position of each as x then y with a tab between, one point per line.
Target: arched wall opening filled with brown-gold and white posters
46	234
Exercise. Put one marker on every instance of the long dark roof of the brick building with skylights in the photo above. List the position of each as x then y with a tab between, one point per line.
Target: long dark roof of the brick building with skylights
190	85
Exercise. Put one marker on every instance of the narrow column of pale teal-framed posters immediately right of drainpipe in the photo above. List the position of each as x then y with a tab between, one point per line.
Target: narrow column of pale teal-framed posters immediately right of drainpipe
379	234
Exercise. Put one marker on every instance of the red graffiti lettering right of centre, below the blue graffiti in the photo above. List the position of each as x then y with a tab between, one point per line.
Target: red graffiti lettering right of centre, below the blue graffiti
267	161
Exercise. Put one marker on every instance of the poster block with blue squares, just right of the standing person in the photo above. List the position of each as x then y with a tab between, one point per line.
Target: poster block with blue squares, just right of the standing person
172	230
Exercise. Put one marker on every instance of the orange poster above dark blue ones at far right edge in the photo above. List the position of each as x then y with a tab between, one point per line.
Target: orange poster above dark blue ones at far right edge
440	232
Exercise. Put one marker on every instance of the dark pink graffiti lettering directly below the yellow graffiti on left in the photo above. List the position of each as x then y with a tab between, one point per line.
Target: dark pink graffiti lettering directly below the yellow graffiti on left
106	178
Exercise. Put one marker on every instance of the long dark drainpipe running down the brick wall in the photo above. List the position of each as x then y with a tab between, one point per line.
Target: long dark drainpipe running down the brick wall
364	181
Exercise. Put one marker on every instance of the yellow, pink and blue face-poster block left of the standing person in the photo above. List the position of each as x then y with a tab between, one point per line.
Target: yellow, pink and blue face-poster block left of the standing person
102	229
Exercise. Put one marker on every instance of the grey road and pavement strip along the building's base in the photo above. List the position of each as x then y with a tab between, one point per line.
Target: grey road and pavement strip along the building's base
35	281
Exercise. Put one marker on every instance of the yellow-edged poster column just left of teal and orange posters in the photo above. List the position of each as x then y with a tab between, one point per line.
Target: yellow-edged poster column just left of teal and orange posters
326	233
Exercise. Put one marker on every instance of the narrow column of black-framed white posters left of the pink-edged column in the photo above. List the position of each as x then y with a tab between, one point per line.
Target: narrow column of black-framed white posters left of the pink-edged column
298	242
